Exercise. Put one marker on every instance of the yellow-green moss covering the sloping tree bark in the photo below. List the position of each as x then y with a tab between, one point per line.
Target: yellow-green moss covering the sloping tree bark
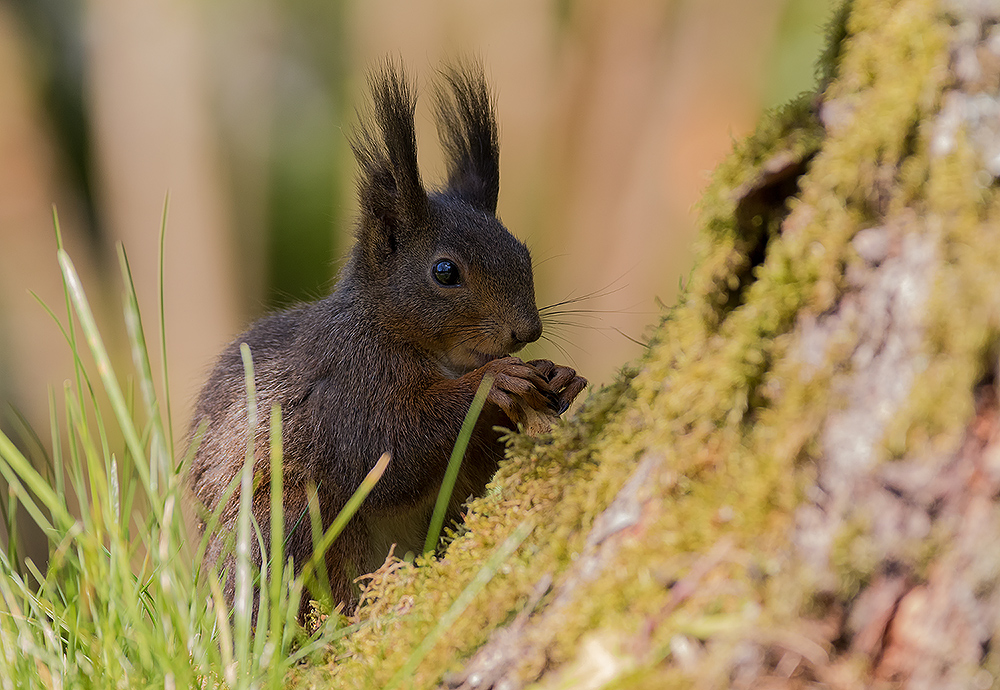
721	399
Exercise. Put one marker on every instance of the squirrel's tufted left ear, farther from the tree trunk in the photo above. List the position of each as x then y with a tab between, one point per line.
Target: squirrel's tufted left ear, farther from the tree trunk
392	196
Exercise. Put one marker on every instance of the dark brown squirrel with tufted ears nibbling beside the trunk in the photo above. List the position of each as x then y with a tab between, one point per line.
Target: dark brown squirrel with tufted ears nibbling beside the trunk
436	295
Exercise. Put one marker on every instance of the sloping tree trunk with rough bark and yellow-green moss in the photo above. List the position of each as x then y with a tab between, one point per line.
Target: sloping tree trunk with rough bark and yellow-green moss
798	483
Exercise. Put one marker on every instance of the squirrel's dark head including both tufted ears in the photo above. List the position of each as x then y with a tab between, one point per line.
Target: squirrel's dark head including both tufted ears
438	269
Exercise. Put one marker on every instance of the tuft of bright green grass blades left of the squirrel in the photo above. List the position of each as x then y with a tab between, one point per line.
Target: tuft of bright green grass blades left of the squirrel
123	600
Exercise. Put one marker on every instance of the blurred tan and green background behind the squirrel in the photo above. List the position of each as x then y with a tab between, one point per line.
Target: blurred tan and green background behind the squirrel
612	115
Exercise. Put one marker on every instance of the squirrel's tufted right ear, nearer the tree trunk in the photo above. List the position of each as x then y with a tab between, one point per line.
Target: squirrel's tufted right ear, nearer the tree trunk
468	130
